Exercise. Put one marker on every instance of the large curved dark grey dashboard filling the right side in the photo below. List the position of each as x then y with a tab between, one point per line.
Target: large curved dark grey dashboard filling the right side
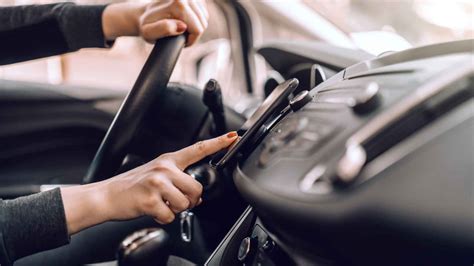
377	168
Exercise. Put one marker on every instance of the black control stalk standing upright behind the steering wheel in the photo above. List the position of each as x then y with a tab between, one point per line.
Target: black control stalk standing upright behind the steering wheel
212	98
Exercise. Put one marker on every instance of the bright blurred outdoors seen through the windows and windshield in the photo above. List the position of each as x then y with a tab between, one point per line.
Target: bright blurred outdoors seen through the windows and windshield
373	26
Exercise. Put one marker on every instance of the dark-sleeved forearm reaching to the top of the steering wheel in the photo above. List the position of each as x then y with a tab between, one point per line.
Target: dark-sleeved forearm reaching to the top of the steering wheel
35	31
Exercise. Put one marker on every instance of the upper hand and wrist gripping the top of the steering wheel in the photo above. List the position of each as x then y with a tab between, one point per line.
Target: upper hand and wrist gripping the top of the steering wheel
156	20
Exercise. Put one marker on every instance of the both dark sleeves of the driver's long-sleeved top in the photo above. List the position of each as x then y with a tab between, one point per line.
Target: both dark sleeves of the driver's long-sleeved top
36	223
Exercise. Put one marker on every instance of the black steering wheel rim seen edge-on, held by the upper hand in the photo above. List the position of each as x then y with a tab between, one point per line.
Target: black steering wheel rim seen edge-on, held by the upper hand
151	82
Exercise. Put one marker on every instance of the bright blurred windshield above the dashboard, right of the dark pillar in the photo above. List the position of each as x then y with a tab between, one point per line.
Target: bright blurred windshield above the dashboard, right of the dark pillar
374	26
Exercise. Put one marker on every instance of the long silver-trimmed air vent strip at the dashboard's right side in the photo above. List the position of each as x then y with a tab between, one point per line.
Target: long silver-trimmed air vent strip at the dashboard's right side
421	107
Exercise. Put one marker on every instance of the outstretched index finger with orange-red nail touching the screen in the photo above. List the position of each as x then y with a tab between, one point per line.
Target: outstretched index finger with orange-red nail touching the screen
201	149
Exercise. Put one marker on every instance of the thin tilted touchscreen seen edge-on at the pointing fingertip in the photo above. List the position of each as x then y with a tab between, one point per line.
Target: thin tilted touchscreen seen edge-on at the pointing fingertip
253	124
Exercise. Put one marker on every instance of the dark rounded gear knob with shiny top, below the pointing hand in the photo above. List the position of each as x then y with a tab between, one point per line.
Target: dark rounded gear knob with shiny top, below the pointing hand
147	247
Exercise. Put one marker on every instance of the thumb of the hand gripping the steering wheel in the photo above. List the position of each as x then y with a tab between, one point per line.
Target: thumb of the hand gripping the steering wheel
162	28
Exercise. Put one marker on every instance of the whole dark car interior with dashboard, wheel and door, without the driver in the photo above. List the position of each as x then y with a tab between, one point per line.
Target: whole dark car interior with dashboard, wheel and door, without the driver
349	158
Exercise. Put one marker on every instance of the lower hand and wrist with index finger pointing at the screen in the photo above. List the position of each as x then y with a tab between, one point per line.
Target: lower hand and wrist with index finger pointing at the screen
159	189
